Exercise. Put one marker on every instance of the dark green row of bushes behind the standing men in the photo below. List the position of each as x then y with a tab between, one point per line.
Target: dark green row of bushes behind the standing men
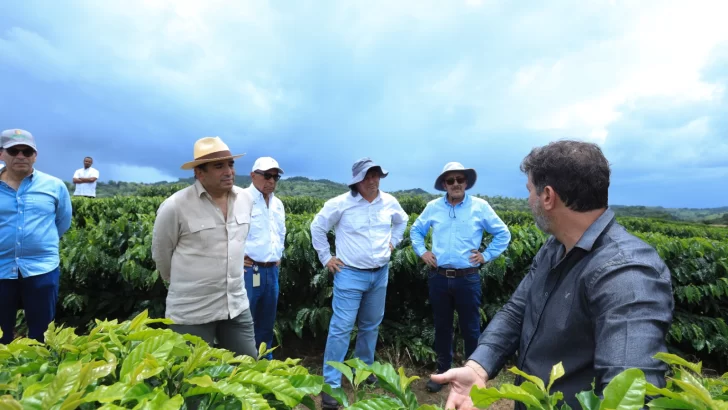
108	273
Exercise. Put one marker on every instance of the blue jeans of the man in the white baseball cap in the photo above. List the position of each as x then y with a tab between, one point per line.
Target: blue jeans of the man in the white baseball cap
263	304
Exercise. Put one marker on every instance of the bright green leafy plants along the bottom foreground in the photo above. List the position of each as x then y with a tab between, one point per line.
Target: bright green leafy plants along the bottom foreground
139	364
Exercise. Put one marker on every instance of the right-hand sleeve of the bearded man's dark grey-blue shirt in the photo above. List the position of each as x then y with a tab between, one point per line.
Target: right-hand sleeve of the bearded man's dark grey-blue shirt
632	310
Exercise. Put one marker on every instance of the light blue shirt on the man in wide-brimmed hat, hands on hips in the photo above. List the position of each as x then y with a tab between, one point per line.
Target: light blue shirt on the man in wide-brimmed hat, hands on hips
456	230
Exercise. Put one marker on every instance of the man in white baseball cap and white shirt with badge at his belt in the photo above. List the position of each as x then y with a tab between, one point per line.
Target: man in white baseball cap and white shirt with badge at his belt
264	248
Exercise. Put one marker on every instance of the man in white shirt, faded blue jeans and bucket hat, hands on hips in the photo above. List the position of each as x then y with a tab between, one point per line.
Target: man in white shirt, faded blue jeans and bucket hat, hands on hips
368	224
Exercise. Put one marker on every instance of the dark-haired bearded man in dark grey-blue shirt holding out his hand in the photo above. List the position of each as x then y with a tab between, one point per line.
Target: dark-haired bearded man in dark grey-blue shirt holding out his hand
596	298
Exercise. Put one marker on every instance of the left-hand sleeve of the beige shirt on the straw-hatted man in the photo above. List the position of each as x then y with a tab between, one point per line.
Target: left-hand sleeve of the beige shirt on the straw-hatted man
164	238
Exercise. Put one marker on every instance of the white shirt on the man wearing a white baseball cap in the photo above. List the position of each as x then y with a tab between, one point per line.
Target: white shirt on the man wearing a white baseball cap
267	228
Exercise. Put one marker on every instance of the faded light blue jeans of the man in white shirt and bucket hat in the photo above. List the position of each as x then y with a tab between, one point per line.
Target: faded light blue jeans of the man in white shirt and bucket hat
355	292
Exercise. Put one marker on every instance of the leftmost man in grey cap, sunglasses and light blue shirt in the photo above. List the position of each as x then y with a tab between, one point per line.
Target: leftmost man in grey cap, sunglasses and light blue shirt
35	212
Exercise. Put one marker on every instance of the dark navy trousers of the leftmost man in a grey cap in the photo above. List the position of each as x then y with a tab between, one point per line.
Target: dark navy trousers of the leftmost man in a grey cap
37	295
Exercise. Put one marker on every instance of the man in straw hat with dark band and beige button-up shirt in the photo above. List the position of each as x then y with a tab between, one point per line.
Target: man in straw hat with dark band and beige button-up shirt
198	242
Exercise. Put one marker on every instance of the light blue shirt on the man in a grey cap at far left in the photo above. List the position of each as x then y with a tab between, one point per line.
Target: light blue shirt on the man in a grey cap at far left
32	221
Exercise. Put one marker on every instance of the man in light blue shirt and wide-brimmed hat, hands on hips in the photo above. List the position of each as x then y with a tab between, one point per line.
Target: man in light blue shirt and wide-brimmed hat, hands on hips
458	221
